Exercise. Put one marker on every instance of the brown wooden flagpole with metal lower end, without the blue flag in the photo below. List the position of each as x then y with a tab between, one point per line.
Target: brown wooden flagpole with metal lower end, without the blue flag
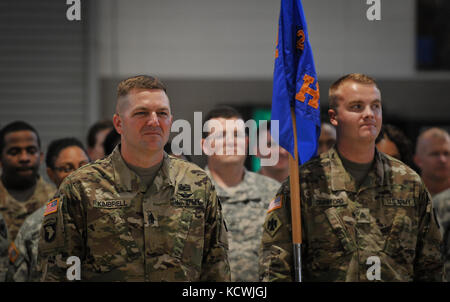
295	204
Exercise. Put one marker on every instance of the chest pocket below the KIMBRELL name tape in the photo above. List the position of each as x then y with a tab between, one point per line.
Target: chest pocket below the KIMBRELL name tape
109	240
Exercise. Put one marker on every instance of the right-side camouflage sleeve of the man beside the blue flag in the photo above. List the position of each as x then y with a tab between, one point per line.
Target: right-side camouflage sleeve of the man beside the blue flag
428	264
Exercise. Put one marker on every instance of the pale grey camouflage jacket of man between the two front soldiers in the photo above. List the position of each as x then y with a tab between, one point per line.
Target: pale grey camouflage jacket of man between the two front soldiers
244	207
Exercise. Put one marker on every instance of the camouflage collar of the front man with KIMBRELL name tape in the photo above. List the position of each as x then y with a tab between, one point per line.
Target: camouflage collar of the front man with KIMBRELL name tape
127	181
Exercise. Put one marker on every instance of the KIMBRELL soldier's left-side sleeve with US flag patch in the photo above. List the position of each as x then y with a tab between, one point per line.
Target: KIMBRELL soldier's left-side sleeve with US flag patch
61	234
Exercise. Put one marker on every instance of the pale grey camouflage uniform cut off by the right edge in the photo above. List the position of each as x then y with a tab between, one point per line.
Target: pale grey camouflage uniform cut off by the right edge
441	204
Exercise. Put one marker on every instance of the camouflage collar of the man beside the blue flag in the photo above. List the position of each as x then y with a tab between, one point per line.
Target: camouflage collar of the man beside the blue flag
342	180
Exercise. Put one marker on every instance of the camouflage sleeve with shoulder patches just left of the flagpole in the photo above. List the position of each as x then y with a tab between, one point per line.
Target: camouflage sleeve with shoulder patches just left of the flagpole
275	261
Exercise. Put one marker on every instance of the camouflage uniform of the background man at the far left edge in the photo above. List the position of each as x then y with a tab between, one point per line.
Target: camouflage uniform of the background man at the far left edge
14	211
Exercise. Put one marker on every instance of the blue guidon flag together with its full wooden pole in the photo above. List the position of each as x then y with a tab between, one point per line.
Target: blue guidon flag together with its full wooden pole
295	103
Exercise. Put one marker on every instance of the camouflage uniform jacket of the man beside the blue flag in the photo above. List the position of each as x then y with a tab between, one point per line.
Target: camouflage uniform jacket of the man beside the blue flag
389	216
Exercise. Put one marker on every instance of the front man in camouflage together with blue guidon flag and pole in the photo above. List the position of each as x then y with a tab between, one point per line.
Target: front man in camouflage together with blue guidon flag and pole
364	216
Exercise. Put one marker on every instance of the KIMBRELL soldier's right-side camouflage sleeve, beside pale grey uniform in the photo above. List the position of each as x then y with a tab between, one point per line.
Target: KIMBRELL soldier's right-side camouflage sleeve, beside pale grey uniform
215	265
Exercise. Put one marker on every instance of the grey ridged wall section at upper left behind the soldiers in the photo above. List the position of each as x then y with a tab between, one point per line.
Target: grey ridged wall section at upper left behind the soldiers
44	68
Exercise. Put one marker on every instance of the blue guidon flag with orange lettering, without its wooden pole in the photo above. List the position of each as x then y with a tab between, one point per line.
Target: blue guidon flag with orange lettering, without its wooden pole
295	83
